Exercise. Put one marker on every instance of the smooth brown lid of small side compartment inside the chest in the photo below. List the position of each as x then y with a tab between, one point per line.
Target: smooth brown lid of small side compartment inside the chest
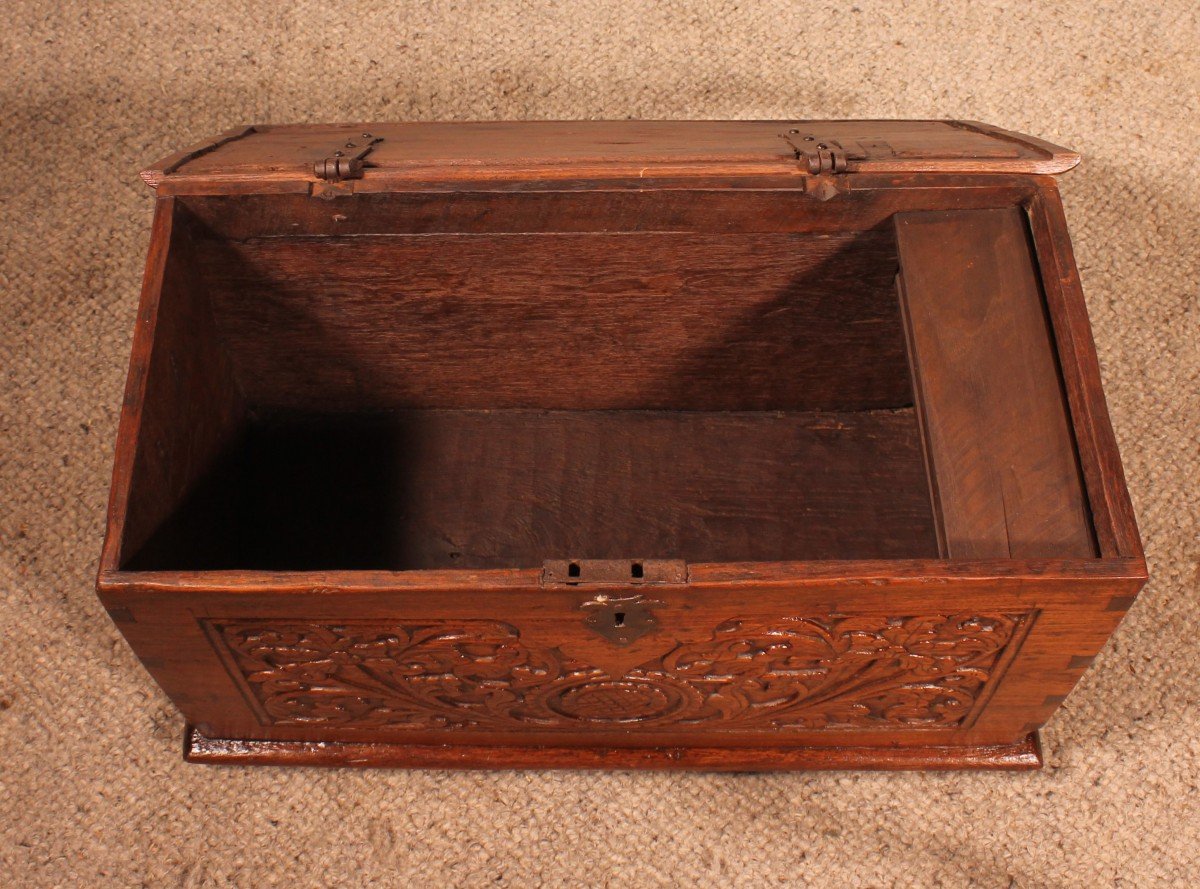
1006	477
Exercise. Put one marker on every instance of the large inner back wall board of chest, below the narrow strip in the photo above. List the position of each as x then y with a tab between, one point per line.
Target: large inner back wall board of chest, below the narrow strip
589	321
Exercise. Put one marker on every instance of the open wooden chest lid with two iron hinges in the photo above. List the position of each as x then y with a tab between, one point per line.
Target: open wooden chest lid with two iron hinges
385	157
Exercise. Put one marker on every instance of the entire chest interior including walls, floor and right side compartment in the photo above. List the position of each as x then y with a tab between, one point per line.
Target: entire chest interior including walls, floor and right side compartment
481	381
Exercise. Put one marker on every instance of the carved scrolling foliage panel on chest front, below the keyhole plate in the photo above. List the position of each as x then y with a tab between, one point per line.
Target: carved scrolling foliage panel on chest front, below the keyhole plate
797	674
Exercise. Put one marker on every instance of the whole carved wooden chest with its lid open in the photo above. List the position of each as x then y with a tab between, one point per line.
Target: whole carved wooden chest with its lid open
723	446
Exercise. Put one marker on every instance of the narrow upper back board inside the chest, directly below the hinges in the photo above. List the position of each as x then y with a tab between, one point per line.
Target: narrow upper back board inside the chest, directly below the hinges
718	207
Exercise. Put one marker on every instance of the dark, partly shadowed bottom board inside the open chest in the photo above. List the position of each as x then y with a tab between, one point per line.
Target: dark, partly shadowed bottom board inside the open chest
512	489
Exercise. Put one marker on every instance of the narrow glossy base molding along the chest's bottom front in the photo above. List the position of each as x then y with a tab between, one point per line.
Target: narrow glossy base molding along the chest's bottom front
199	748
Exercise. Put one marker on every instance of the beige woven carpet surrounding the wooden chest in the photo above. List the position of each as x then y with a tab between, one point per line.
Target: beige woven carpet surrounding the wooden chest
92	788
